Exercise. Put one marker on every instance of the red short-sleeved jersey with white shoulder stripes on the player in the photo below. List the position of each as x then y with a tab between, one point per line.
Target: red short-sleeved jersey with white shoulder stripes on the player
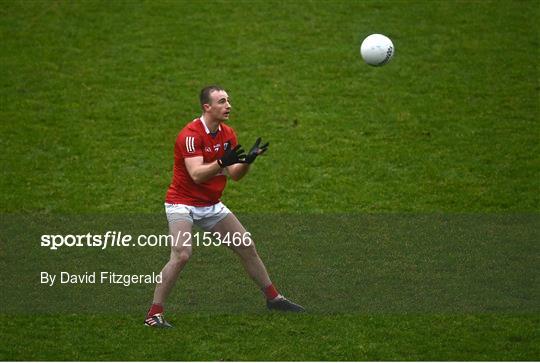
195	139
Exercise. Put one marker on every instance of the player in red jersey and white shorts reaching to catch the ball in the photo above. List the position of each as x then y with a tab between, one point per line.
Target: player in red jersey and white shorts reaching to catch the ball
205	153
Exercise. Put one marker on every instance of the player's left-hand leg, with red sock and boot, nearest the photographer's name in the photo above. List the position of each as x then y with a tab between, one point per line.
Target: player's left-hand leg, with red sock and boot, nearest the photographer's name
181	251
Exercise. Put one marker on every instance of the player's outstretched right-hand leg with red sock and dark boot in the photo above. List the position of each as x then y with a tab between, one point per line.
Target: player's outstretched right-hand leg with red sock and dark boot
253	264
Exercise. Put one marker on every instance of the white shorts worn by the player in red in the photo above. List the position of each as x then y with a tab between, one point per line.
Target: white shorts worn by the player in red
204	217
